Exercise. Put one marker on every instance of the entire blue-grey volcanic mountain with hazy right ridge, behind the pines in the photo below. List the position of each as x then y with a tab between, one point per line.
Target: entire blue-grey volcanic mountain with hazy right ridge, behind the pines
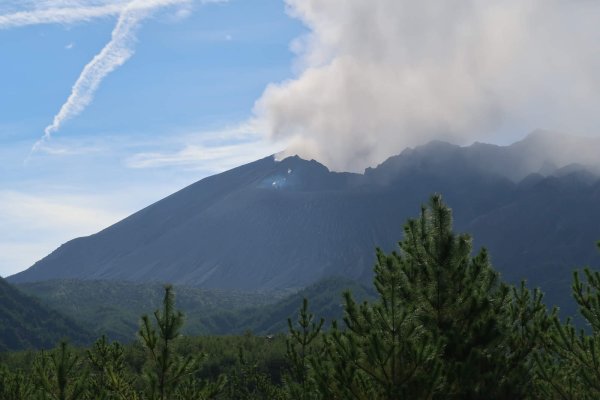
285	225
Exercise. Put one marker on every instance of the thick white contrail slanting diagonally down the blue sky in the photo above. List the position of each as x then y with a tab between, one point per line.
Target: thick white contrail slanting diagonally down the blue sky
113	55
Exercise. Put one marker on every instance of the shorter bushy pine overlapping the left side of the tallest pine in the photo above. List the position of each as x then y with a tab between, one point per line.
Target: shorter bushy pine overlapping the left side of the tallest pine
384	352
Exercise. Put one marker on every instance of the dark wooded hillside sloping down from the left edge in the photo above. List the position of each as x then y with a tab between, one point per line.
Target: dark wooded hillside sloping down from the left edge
27	324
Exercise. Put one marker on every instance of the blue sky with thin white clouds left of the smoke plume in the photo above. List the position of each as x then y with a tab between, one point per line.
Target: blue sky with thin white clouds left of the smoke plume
173	113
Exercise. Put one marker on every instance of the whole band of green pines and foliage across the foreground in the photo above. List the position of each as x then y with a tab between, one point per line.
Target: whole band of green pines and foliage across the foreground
443	326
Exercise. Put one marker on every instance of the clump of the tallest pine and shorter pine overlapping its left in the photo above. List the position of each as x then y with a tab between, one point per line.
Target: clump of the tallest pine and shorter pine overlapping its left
444	326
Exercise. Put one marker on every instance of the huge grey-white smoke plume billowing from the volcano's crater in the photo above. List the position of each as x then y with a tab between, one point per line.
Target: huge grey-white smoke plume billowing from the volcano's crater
377	76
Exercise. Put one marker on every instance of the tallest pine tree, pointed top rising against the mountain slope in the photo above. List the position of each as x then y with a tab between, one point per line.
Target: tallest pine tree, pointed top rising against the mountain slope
461	301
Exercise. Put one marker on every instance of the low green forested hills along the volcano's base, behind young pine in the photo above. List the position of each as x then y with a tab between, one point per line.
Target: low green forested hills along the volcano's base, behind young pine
114	308
